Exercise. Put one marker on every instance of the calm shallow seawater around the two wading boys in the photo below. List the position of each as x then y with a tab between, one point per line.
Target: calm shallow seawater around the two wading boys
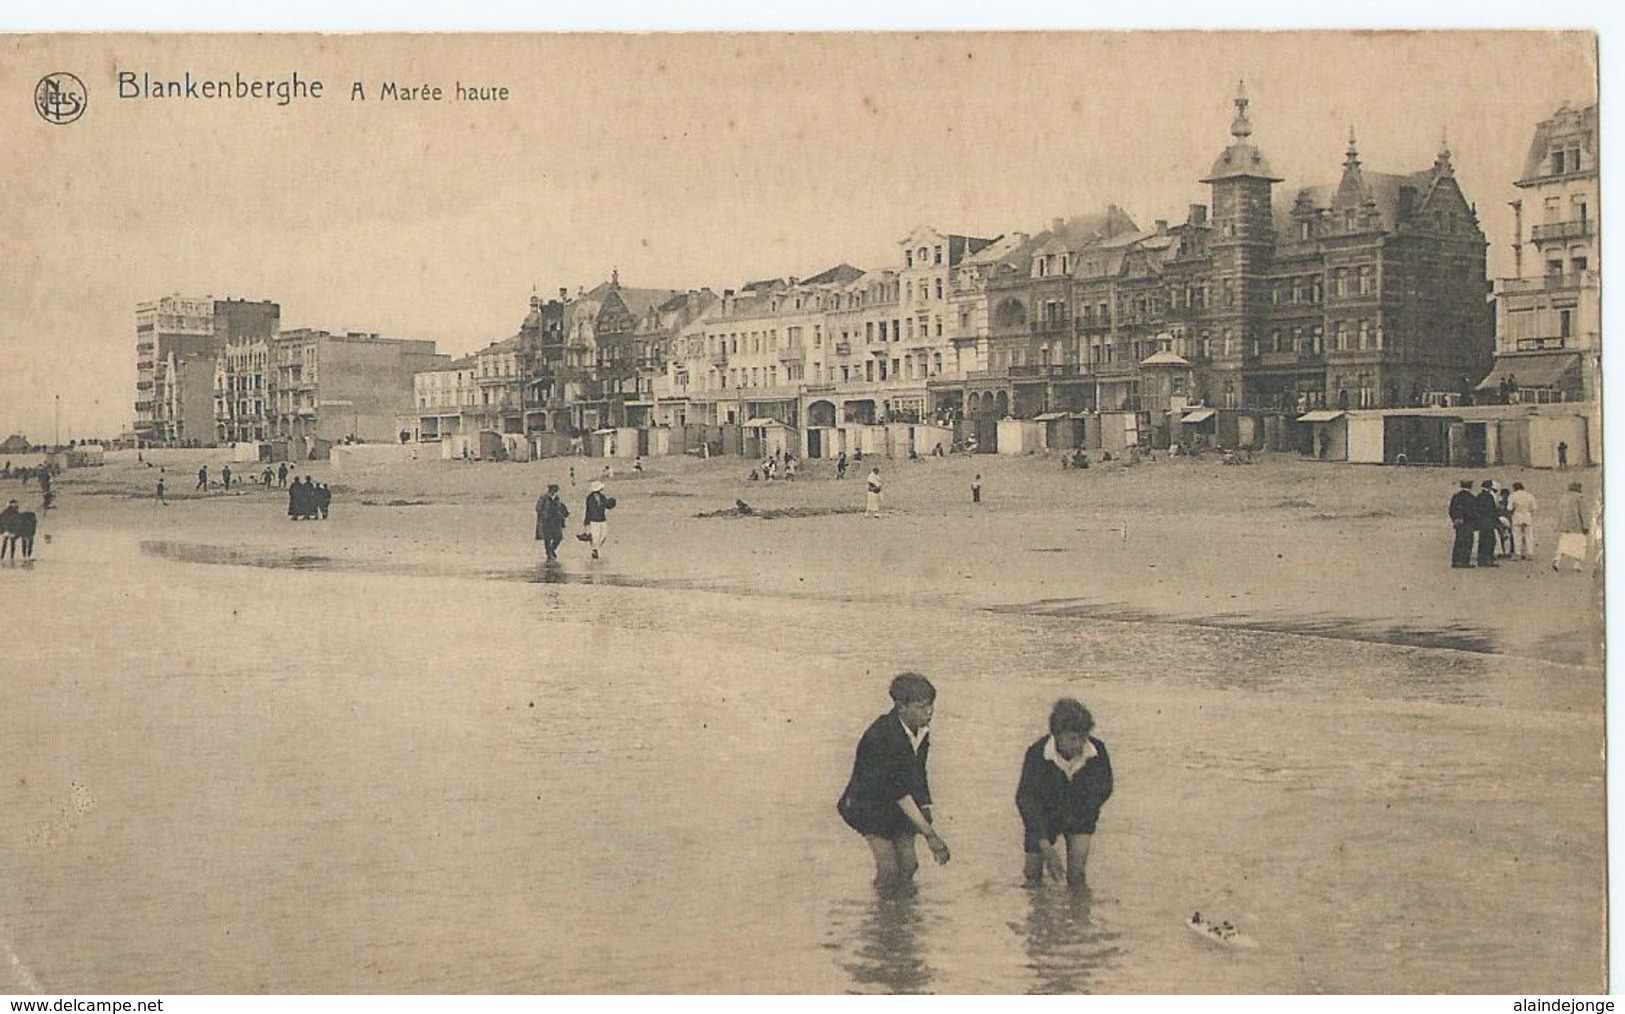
233	773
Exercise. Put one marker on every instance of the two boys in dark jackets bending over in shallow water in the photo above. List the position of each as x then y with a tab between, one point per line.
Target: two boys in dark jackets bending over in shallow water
1065	781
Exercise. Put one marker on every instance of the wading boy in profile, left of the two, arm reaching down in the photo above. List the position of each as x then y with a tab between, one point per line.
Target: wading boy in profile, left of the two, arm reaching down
888	800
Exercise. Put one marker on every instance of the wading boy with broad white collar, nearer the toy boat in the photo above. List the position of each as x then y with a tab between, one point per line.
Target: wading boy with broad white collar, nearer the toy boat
1065	779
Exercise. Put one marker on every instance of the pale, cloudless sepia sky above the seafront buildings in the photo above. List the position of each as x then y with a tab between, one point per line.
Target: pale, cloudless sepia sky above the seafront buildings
682	162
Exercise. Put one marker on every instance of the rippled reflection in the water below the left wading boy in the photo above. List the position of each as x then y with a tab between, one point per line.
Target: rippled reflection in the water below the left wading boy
883	953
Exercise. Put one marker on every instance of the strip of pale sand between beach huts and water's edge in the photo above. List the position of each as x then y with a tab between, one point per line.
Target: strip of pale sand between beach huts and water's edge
1286	545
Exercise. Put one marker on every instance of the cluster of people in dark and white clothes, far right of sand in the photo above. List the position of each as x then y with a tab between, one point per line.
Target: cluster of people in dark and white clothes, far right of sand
1499	524
